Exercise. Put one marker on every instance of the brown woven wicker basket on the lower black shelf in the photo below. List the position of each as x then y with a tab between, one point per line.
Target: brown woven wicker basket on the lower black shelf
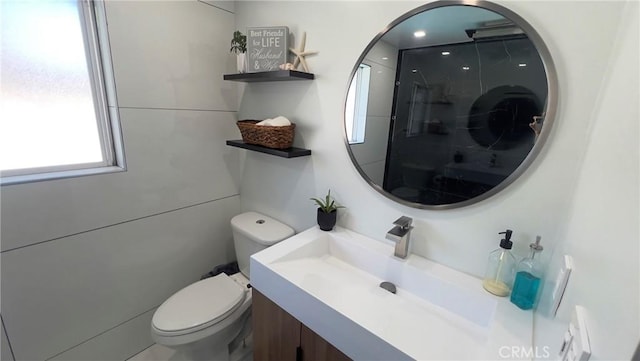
266	135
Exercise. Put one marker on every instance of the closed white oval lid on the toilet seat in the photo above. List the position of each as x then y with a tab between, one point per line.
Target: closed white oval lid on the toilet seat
205	302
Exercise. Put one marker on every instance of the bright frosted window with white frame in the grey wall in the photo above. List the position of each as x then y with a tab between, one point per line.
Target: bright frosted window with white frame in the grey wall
58	114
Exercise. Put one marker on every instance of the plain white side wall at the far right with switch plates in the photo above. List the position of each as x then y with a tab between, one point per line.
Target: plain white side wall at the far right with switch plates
603	234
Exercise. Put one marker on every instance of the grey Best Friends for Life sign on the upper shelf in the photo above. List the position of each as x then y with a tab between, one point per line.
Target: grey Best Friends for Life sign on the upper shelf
267	48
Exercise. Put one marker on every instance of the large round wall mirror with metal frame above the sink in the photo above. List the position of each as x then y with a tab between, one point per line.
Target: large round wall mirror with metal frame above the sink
449	104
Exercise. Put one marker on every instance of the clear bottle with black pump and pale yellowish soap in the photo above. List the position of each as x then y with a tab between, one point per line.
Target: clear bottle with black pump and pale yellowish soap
500	270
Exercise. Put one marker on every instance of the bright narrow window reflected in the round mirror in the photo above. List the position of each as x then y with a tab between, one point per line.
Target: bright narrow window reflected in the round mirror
356	107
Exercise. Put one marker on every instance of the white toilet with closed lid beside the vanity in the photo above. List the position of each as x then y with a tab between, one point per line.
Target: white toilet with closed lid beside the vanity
203	320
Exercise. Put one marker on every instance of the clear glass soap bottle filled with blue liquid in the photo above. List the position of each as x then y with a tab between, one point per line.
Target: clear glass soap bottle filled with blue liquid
528	276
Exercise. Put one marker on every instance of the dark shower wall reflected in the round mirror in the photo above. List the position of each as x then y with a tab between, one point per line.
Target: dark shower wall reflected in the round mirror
462	115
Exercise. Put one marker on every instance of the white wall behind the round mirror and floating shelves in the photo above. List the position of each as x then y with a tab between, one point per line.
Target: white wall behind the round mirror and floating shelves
537	203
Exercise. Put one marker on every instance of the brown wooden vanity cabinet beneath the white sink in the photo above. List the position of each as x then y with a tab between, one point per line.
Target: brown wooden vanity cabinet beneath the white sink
278	336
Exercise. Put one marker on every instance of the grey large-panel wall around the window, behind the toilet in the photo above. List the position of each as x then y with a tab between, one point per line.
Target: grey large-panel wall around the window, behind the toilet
85	261
